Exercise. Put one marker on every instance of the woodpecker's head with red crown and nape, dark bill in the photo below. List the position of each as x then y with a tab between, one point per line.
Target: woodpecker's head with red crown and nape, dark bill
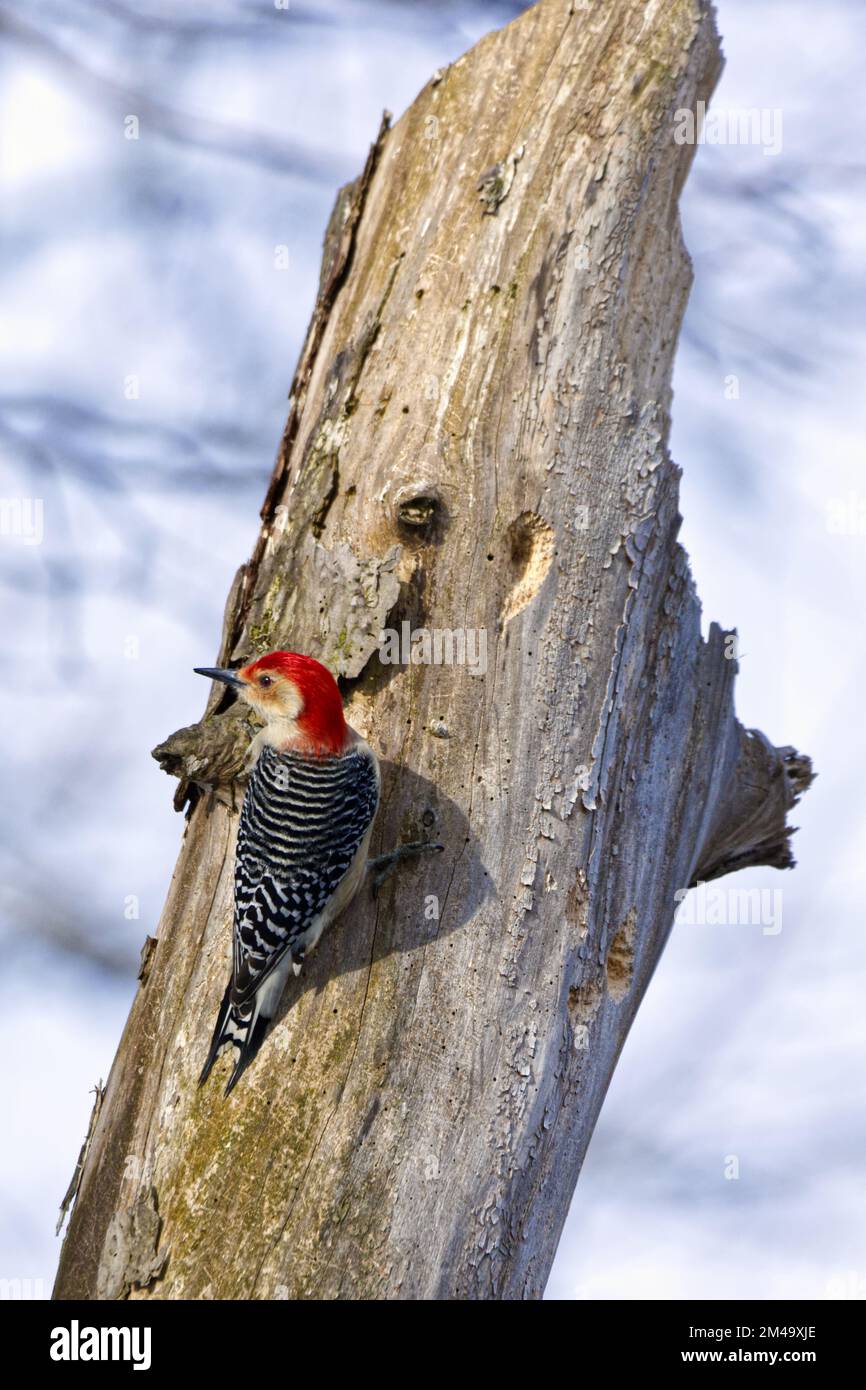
297	698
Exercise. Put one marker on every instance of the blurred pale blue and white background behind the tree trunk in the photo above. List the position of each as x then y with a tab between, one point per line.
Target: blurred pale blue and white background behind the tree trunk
148	266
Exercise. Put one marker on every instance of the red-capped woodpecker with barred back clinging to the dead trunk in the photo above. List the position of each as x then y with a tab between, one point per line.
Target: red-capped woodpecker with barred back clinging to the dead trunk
302	840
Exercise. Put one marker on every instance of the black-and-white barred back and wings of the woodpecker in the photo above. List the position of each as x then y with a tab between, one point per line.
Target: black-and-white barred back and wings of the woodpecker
302	825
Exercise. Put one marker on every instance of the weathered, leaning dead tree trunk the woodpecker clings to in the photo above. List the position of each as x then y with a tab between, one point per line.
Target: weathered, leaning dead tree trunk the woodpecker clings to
476	445
